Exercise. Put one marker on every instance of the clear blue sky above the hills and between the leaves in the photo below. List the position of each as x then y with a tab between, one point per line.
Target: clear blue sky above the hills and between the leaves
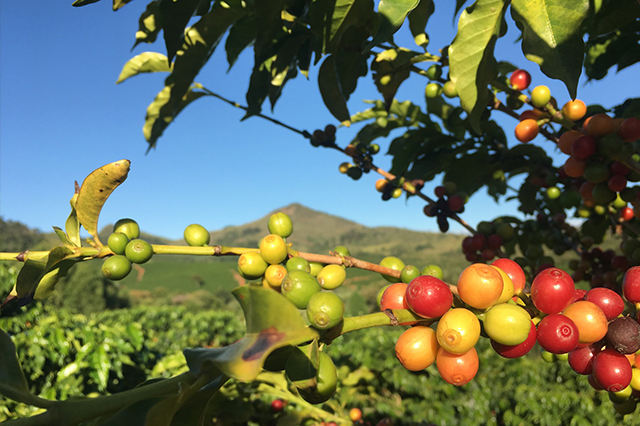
62	116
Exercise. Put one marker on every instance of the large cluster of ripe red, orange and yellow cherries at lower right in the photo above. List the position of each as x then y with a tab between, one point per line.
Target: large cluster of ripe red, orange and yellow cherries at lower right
585	328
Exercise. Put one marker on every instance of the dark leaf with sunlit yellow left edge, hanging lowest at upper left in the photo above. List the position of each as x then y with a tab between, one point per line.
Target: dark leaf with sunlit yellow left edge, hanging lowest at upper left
163	110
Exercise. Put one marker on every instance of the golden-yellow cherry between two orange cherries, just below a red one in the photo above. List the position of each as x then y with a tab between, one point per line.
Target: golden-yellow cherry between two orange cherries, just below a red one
458	330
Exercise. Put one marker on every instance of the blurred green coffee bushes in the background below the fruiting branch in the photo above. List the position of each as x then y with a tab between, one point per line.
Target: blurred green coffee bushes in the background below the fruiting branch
66	355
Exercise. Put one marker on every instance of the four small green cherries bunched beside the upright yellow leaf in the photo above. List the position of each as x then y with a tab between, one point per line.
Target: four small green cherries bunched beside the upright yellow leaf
127	247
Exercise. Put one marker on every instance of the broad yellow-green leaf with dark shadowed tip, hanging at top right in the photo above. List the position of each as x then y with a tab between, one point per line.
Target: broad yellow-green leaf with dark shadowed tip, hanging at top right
552	37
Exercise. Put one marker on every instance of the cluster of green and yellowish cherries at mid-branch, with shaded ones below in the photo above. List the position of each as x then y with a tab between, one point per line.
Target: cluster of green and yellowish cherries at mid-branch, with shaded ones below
308	285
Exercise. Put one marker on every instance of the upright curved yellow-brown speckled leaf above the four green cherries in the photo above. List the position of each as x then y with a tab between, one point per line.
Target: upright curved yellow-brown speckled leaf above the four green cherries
94	192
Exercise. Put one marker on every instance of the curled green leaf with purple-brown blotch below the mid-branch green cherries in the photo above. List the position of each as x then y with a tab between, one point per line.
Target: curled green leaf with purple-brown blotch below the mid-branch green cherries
272	322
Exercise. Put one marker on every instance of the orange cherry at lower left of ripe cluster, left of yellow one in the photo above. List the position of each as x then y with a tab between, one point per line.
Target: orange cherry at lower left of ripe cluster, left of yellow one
417	347
